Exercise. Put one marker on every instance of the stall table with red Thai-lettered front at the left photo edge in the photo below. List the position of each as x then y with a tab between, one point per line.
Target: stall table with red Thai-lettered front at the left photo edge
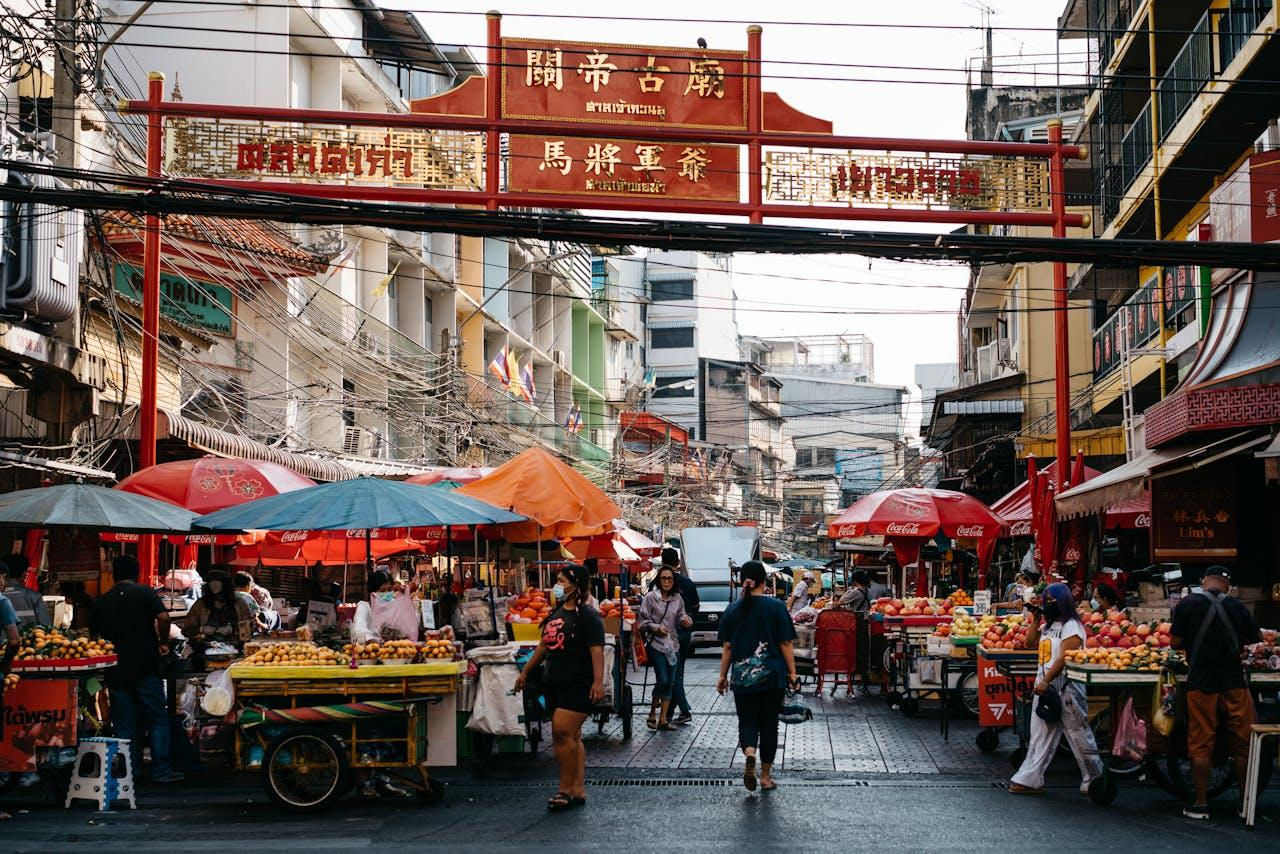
44	720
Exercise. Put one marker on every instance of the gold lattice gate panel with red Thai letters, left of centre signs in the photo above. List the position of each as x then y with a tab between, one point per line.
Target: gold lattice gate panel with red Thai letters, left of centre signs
330	154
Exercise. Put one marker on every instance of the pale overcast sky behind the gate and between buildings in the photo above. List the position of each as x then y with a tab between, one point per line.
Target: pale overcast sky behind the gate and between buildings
907	309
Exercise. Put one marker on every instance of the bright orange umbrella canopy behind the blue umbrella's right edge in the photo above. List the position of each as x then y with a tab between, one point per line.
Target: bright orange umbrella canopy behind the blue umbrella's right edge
560	503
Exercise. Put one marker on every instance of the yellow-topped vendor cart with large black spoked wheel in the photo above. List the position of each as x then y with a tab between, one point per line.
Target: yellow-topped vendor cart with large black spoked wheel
307	728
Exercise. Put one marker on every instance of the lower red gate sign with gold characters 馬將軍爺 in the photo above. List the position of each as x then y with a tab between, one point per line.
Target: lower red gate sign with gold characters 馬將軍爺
623	168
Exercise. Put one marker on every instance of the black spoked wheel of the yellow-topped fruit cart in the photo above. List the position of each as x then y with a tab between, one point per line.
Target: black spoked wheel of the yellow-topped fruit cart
305	769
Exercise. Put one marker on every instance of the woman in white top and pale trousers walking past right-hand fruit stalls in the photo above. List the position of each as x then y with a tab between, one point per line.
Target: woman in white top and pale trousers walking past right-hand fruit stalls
1062	633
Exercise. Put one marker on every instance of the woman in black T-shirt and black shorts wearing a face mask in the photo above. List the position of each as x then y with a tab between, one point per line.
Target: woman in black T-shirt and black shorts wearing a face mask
573	649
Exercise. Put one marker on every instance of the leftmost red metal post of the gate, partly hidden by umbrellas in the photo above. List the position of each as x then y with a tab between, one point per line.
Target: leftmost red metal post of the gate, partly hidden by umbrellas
152	241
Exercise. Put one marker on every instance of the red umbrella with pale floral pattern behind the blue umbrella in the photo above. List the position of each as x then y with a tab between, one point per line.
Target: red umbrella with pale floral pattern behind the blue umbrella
207	485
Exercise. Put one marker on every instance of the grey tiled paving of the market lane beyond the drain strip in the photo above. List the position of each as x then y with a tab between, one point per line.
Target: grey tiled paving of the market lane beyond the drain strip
857	737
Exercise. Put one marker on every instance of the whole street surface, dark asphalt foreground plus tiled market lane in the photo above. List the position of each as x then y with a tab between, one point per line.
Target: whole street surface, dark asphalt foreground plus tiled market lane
857	778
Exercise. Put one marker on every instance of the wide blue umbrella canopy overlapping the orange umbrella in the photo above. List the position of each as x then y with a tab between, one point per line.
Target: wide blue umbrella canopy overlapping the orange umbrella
364	503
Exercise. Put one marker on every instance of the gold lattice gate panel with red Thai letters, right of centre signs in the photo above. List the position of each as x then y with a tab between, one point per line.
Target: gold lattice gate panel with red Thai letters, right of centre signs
858	179
